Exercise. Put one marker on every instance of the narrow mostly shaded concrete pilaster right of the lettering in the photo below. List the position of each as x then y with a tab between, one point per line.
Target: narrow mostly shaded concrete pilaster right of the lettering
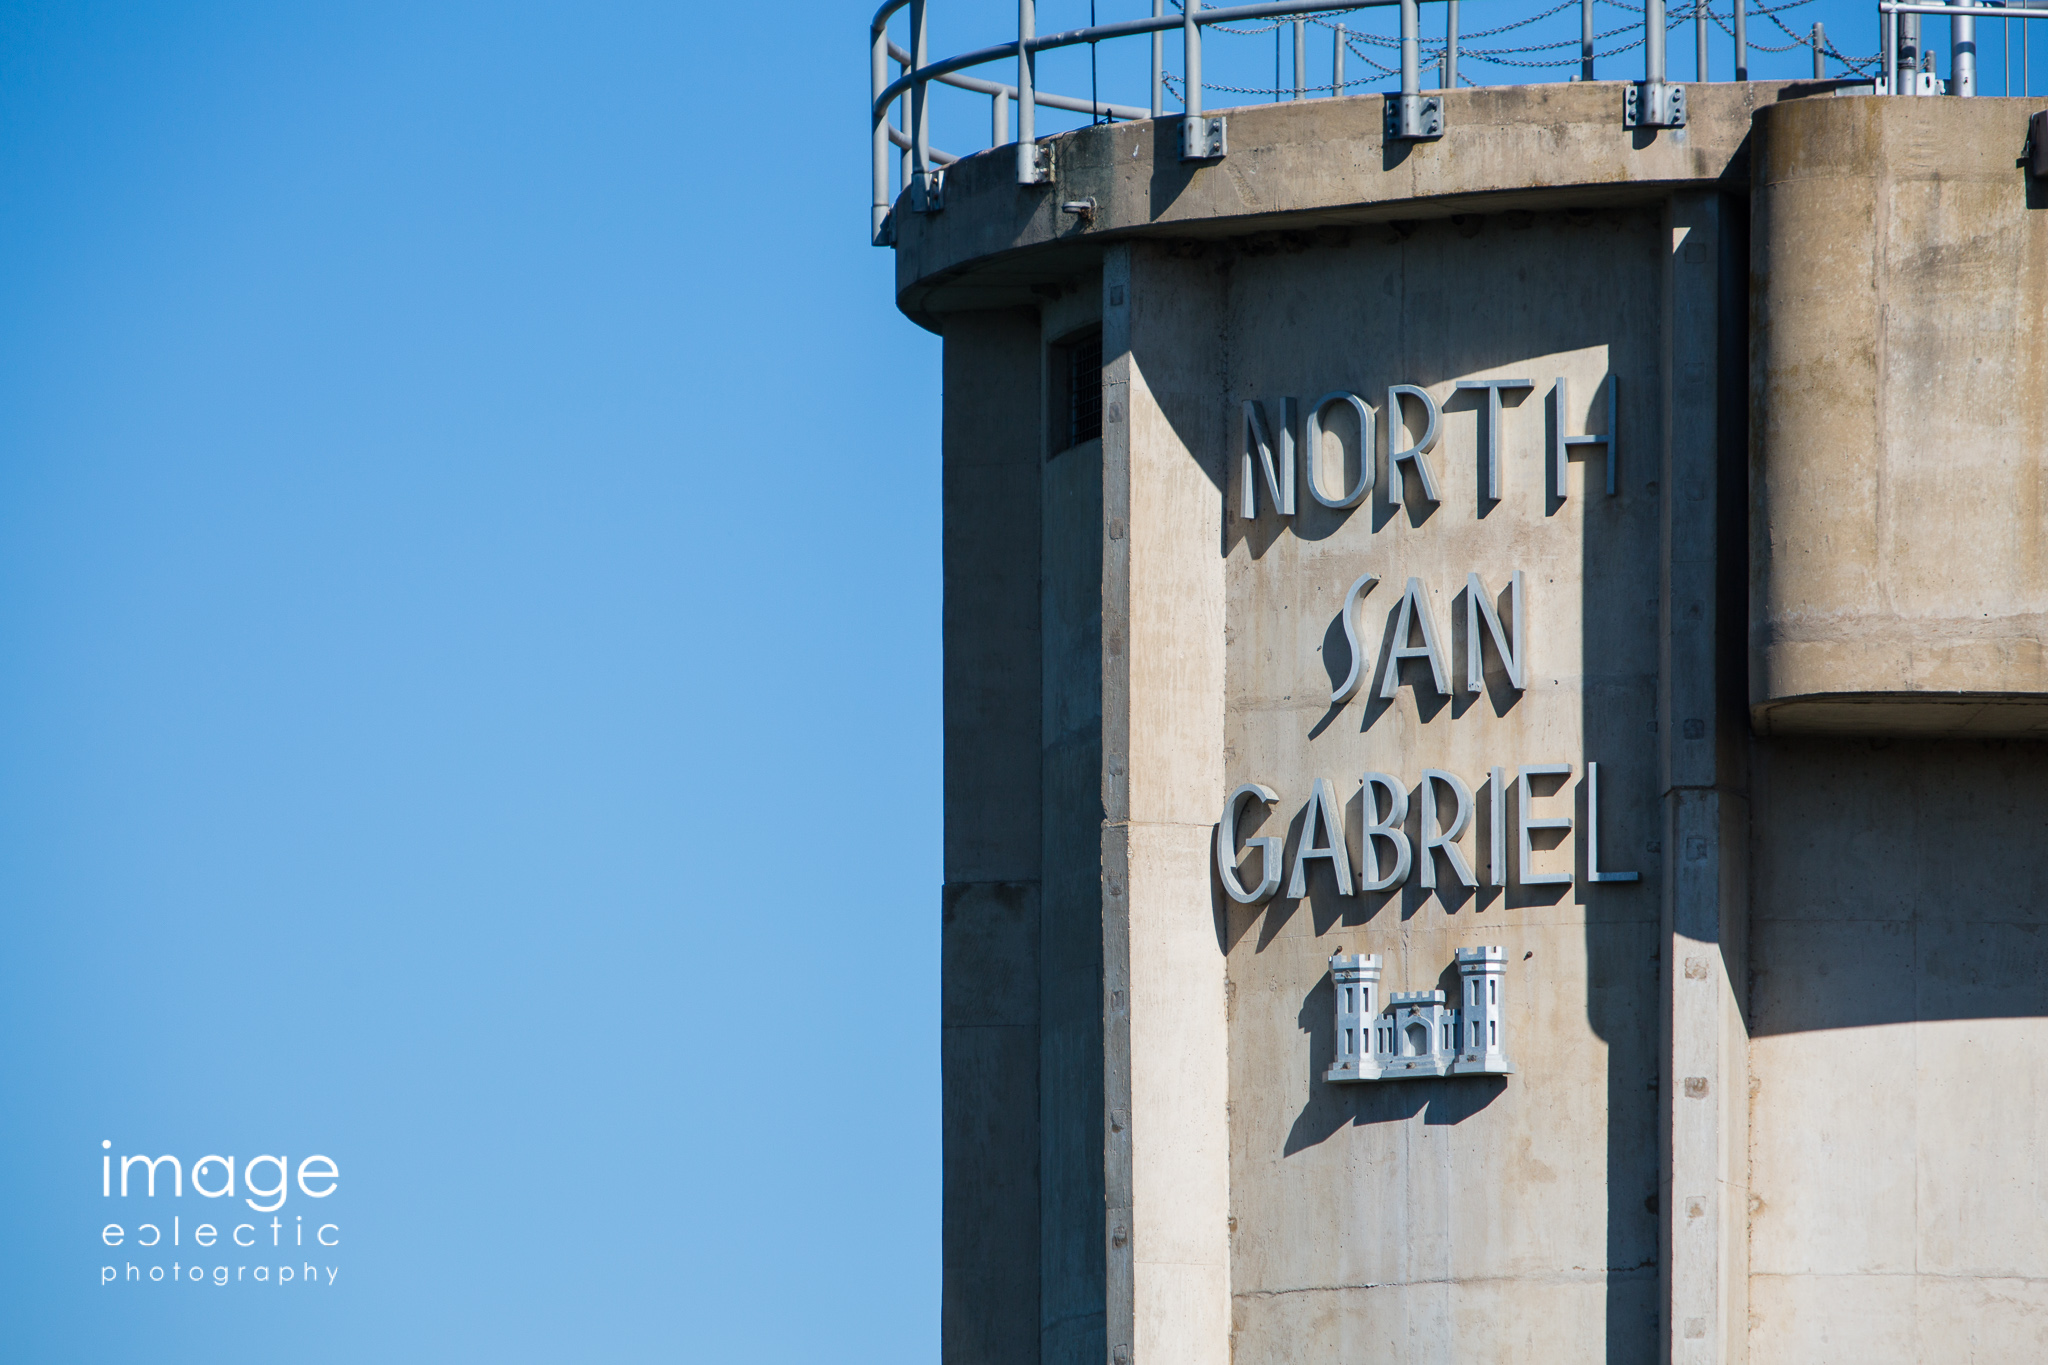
1705	1082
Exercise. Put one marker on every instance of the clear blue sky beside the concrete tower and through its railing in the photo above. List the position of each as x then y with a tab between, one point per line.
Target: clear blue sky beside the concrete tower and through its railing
470	674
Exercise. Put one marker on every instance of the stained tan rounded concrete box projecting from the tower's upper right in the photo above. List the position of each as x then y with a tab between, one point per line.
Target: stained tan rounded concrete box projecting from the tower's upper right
1902	421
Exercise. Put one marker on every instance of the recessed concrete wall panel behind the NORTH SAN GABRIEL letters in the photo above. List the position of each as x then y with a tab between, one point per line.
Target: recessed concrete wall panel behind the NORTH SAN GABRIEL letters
1474	1217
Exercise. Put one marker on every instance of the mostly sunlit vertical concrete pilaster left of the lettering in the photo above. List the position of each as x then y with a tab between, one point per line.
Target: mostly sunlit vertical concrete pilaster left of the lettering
1166	1041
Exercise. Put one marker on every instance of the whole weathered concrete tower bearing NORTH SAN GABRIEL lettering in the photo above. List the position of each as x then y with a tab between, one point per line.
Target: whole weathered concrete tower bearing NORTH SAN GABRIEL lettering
1631	404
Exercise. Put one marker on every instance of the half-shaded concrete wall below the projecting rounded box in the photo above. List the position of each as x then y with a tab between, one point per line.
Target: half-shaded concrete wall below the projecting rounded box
1900	1108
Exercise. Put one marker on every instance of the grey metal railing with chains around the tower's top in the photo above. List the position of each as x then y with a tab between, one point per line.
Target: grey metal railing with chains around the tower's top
1904	69
